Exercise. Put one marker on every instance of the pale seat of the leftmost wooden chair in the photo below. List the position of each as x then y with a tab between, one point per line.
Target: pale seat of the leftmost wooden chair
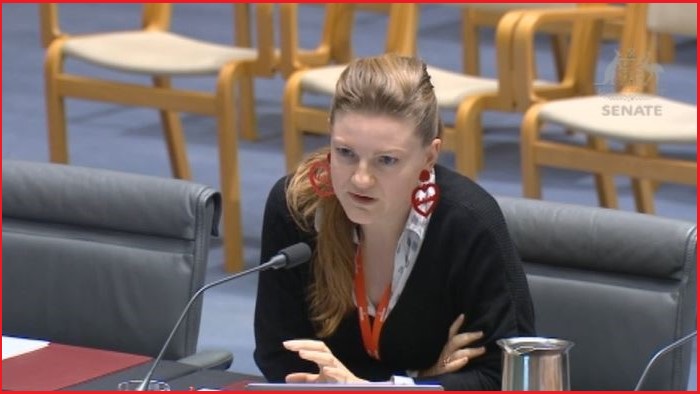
155	53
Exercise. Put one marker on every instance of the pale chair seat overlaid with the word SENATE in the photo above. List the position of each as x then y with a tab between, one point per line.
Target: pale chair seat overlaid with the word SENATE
631	118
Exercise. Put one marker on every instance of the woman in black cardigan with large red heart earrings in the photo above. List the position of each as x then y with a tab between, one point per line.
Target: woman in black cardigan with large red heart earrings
394	235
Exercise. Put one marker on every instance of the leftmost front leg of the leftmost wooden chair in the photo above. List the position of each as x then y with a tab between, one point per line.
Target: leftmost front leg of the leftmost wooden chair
55	106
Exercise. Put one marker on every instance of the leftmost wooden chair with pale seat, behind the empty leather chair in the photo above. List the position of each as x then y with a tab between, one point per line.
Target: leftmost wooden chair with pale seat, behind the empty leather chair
155	52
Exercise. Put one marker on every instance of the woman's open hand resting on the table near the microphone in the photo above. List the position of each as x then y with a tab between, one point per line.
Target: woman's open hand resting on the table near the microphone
331	370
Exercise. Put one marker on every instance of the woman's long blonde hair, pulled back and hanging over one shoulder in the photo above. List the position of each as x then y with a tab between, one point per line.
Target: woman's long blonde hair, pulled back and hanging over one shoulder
389	85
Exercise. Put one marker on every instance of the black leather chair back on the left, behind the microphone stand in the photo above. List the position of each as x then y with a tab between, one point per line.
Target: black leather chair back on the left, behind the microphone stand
103	259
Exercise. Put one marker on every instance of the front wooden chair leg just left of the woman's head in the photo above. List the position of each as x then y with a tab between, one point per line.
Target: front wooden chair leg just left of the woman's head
293	137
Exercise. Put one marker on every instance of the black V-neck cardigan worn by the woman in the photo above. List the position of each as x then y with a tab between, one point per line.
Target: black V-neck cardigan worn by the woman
467	264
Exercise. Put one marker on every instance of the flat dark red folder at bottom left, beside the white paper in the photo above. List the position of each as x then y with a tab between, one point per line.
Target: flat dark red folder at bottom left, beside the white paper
57	366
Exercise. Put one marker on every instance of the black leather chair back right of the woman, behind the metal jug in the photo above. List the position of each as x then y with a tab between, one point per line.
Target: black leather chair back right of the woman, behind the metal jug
621	285
